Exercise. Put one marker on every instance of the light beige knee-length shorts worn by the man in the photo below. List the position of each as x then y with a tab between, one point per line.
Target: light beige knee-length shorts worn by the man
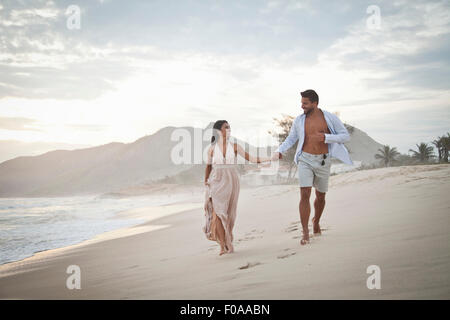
311	172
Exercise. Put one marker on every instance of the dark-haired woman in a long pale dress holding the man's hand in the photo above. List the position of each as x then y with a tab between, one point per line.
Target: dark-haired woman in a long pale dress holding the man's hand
222	181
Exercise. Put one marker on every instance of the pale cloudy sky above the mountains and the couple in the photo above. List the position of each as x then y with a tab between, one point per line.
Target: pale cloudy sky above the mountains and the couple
133	67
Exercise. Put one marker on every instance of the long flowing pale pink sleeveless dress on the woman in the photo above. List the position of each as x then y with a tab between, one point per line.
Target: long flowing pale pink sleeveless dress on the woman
221	196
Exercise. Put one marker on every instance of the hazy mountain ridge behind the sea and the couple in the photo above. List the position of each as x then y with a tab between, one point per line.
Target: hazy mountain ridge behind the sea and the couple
116	165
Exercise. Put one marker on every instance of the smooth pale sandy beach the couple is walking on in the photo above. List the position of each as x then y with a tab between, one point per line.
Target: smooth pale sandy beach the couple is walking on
396	218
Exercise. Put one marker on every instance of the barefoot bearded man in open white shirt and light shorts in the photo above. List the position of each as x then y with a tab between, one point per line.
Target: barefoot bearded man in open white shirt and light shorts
321	136
